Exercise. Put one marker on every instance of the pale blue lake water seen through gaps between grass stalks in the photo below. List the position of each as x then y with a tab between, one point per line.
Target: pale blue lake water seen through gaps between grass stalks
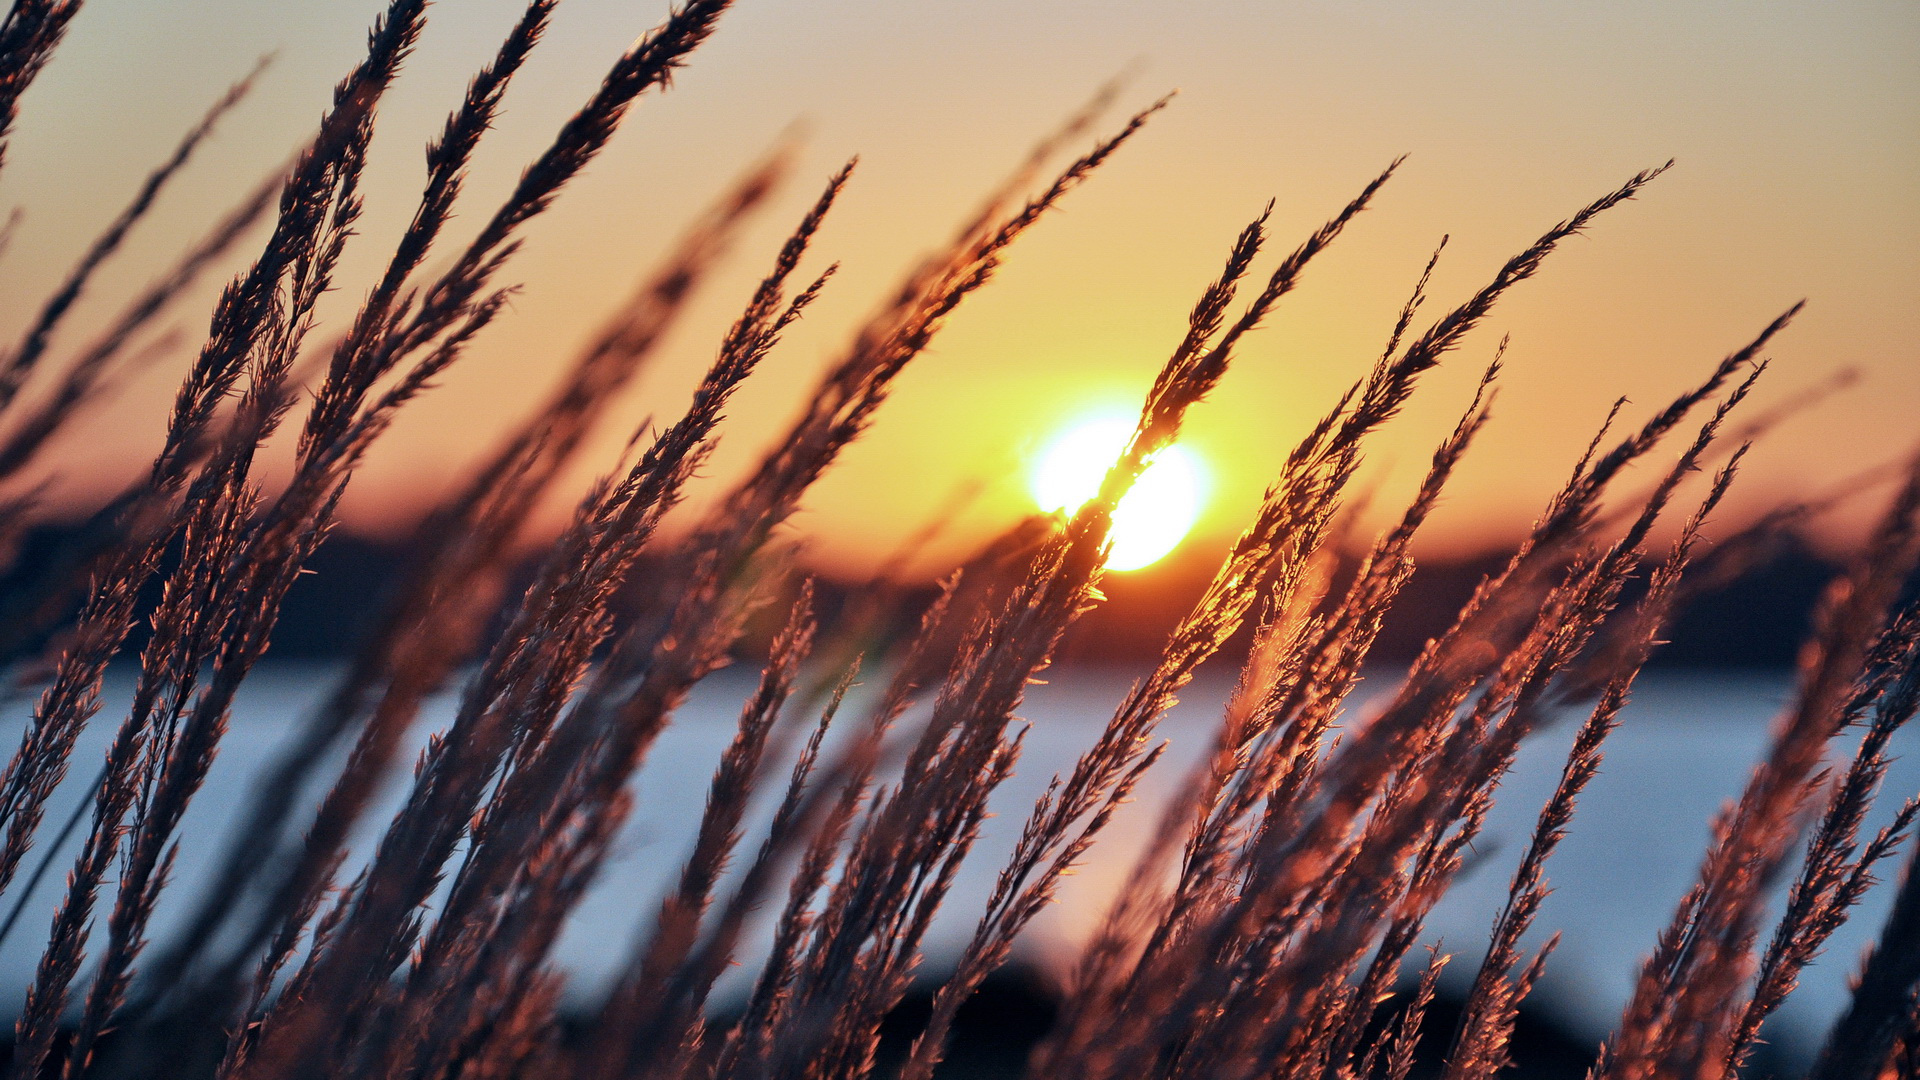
1683	752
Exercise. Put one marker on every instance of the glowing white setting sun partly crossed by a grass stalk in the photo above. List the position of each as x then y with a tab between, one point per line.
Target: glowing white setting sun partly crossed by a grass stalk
1155	516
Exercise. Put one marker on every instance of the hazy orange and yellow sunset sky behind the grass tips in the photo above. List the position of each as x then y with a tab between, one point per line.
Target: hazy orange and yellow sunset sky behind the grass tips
1796	134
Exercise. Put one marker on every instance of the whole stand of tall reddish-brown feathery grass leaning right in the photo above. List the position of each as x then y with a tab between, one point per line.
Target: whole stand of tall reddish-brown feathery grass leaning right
1264	929
